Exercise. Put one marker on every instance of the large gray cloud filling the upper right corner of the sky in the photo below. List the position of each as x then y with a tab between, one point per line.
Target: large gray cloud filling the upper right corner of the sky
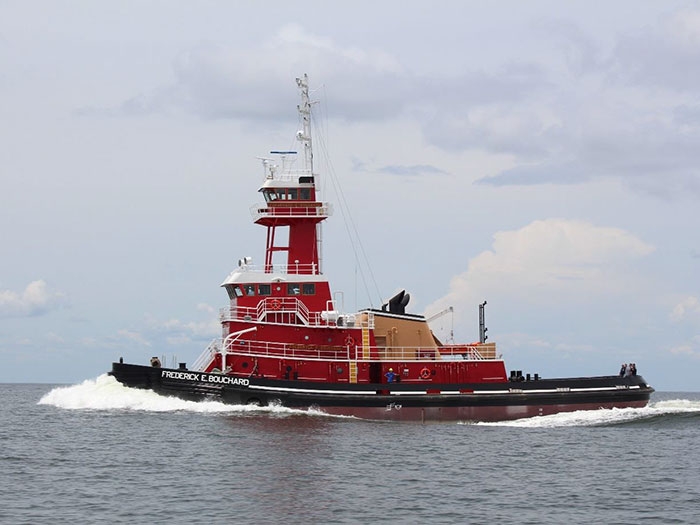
632	125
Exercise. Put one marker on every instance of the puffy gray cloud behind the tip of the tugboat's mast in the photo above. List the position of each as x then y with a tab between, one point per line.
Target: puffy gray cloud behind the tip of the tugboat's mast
215	81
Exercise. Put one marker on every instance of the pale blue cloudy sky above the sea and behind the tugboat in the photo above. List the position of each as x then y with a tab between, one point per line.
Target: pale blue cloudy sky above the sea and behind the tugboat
541	156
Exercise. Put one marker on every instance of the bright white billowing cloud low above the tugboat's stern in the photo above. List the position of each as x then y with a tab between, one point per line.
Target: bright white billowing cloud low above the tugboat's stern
547	261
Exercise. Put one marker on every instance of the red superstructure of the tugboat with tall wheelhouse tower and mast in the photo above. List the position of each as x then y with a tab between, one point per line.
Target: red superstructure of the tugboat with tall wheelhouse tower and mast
282	321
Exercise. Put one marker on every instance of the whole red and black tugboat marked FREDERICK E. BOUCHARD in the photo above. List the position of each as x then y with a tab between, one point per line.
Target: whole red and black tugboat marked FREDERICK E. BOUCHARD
286	340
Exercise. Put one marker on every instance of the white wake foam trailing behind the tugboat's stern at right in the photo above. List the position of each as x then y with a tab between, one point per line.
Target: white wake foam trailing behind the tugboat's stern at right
605	416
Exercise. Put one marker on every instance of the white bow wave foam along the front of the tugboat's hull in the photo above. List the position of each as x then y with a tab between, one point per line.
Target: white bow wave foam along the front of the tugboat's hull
106	393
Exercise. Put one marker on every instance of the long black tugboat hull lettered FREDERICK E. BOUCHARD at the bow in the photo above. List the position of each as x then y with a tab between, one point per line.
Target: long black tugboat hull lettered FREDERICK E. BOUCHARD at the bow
423	401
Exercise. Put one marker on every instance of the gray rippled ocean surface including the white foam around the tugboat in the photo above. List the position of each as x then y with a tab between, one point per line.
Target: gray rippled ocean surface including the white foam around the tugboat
98	452
